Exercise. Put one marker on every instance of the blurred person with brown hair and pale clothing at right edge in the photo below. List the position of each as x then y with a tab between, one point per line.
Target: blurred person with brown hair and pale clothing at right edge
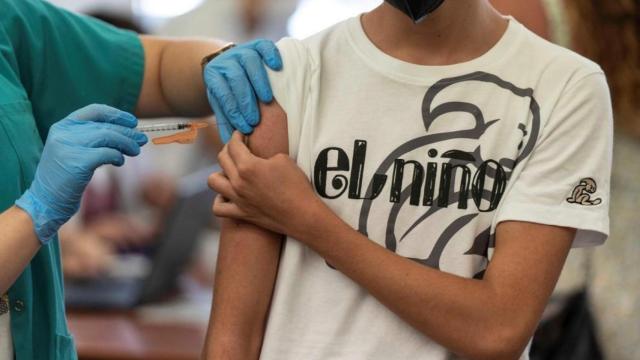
608	32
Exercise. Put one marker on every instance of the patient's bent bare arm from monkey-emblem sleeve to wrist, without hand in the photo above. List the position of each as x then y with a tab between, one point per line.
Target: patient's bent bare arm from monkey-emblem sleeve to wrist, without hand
505	306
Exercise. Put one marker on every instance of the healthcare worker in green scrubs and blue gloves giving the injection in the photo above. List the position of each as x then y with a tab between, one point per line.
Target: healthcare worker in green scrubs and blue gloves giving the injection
68	87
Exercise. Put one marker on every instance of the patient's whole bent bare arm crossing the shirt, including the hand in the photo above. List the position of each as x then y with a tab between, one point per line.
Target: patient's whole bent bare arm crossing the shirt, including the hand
504	306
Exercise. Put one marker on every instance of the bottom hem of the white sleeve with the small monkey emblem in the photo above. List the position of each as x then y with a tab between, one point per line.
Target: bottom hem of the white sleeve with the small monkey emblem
592	228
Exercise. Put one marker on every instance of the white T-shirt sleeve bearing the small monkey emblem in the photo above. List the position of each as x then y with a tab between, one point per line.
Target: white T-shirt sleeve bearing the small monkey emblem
574	148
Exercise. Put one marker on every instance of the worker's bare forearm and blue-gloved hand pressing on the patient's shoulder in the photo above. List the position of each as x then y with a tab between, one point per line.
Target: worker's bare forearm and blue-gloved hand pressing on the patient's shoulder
175	84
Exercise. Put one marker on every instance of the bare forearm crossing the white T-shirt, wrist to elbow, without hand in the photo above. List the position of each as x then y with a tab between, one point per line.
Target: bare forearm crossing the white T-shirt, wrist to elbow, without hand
449	309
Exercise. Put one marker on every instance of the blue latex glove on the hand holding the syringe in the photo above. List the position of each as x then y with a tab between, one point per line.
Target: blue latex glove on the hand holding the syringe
86	139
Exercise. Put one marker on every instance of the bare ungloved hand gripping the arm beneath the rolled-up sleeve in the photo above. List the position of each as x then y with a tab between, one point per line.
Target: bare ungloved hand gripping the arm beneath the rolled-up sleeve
272	193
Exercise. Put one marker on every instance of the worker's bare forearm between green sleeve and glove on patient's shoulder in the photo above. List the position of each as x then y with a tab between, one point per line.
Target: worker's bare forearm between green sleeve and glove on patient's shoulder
173	84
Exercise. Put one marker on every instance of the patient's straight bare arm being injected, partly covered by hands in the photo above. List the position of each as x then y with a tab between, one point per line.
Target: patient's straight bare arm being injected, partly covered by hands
247	263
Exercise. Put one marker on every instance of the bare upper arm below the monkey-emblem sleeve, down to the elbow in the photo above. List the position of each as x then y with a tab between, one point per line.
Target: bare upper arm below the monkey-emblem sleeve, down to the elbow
524	269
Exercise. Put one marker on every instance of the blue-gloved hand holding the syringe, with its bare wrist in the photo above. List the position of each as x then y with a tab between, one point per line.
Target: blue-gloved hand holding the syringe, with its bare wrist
86	139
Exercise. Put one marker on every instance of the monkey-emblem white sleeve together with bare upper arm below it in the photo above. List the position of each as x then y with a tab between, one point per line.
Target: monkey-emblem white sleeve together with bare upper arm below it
537	220
